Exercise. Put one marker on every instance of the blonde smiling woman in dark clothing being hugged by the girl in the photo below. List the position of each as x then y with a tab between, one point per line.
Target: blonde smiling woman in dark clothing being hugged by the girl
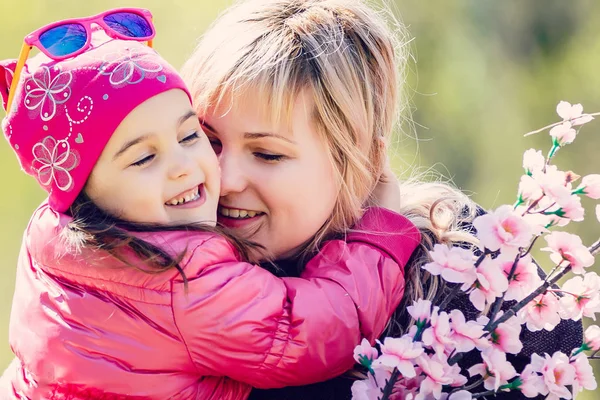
265	65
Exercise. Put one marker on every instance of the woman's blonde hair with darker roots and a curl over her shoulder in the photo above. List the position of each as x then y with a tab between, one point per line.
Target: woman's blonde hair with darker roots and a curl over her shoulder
344	54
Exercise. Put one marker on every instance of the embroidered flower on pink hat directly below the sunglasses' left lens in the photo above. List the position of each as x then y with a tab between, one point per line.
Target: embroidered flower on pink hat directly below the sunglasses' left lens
44	92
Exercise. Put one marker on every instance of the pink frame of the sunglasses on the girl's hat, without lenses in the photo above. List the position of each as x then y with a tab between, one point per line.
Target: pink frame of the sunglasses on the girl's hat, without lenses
33	39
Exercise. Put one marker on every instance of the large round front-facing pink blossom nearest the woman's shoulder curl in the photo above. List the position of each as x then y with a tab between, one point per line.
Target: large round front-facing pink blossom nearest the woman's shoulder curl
503	230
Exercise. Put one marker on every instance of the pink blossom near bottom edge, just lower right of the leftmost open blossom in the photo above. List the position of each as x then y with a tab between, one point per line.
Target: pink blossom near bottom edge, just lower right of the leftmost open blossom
438	373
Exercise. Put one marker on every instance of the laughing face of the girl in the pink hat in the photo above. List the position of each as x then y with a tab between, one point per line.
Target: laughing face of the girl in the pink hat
158	166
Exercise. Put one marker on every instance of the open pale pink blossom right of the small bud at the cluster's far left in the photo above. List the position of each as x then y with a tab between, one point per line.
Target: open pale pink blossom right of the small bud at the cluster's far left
399	353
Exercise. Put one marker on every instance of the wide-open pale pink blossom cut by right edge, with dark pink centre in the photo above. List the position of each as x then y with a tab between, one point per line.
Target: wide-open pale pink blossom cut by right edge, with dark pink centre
581	297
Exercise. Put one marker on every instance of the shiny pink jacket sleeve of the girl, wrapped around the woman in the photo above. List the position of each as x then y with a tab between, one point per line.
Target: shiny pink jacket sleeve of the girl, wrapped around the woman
240	321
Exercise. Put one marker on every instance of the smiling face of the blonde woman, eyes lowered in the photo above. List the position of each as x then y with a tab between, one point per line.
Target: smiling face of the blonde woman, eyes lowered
277	183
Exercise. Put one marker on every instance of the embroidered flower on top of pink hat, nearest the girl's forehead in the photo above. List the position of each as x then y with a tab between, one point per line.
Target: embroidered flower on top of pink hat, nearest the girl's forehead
129	66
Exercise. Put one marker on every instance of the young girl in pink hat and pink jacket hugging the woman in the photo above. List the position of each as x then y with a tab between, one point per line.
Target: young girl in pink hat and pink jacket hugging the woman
120	293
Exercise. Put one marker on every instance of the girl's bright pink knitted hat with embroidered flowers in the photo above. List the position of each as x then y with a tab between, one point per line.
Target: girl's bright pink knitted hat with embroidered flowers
64	112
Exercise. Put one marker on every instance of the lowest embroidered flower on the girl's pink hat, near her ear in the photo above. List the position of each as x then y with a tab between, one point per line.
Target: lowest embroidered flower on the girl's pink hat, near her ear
55	160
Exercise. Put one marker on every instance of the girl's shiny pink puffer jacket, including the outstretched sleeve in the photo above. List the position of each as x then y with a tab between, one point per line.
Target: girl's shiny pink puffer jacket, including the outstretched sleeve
83	327
